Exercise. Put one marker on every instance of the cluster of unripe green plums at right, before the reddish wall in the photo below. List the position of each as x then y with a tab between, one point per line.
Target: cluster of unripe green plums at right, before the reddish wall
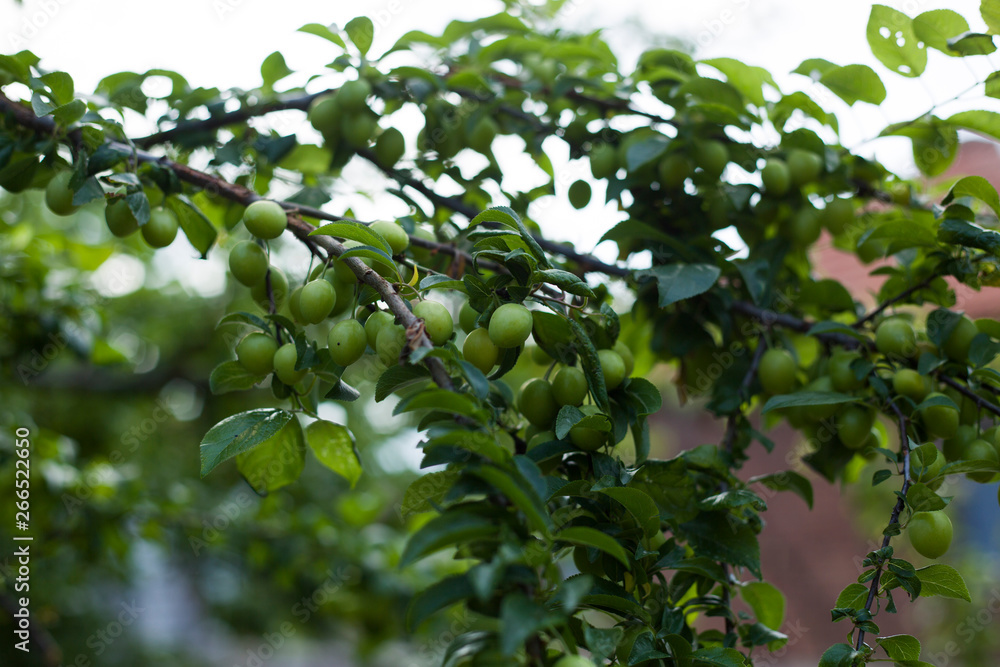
947	416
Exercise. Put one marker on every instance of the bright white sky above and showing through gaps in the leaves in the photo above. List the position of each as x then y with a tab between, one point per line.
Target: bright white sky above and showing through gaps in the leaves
222	42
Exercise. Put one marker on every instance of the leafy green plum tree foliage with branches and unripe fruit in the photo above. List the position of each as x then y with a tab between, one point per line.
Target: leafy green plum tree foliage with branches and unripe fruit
542	516
